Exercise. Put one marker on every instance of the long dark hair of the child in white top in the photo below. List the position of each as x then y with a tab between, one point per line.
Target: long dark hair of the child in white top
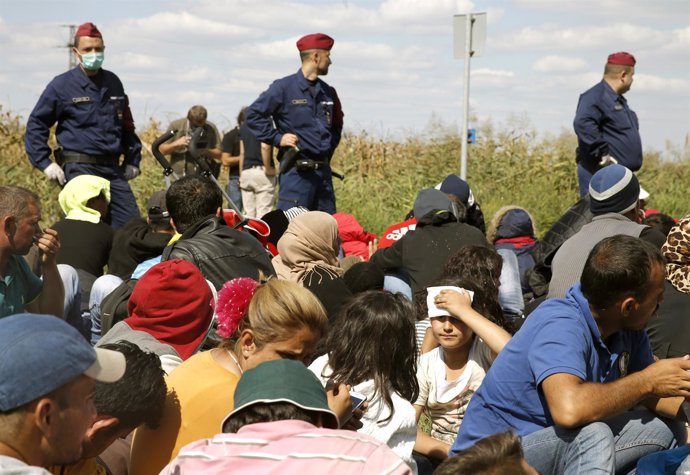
374	339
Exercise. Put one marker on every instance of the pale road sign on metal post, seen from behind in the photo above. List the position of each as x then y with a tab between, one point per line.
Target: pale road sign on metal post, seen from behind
469	37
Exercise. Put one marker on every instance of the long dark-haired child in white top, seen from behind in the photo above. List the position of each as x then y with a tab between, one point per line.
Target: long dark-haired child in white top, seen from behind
371	346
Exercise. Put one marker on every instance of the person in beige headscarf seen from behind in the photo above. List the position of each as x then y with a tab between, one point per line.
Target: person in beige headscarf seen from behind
308	255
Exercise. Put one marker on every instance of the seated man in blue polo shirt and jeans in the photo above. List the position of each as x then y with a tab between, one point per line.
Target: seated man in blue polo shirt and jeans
567	380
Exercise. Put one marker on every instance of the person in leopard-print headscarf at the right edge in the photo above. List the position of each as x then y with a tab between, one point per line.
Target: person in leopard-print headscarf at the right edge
669	327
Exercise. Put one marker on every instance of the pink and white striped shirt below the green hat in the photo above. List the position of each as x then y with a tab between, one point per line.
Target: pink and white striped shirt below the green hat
287	447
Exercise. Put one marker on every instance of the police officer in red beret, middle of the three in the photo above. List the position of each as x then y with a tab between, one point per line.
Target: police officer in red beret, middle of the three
308	117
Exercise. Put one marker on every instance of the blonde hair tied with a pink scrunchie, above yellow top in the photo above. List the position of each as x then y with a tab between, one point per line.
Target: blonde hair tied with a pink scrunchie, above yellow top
279	309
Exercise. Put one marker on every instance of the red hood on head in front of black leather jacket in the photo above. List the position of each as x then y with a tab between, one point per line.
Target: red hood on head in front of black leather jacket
173	303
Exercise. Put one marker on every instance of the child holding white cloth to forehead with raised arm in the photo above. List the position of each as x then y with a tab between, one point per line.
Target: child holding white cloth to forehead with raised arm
449	374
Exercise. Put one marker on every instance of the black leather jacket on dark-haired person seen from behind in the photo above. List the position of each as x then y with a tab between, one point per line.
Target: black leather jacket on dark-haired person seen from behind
220	252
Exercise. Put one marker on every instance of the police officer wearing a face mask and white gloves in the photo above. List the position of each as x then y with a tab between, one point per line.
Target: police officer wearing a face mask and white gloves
95	127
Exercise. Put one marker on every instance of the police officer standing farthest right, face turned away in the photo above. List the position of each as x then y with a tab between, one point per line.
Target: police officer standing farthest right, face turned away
606	128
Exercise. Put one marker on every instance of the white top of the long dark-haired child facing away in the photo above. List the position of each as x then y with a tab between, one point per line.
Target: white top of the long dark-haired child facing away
399	432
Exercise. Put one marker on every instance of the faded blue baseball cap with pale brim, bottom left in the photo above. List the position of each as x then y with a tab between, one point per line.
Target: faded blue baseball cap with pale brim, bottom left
40	353
